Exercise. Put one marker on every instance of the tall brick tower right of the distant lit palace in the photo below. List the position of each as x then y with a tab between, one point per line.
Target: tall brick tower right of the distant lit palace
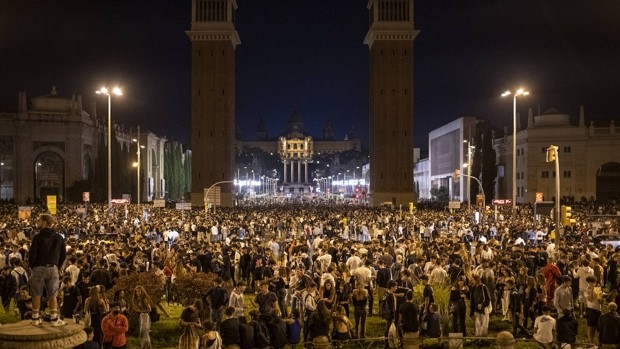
390	42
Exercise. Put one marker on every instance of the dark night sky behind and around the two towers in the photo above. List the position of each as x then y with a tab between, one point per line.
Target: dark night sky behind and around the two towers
309	55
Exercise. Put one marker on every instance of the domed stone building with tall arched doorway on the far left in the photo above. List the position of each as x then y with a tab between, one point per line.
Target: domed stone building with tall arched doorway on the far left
52	142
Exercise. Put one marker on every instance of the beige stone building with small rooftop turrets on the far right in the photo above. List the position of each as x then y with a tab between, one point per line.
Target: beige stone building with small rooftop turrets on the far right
589	157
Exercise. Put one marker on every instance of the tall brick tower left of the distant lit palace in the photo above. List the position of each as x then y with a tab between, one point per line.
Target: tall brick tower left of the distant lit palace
214	39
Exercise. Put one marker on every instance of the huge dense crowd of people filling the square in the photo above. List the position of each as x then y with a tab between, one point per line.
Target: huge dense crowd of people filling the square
297	272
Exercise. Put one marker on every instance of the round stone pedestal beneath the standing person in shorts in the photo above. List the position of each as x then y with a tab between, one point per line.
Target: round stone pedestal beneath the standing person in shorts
23	335
